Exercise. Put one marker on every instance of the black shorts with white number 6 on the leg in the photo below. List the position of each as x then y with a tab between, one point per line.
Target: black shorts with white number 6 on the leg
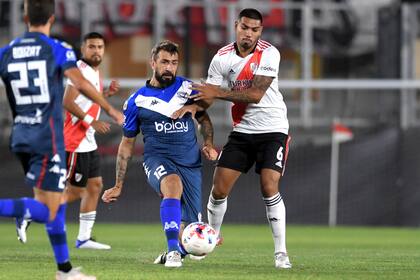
267	150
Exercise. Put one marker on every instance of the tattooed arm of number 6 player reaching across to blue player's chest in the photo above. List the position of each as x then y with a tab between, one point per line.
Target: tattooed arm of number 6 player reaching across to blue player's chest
260	84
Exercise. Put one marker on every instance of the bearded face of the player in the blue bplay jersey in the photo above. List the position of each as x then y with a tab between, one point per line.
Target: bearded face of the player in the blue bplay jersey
165	67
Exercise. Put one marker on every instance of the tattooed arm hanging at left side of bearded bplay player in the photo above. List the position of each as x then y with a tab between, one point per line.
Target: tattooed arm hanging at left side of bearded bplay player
125	151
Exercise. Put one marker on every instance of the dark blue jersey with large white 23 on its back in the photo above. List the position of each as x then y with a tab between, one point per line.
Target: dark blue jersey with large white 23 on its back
32	69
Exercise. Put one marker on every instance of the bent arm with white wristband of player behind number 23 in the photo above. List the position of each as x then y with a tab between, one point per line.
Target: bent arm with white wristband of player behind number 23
70	95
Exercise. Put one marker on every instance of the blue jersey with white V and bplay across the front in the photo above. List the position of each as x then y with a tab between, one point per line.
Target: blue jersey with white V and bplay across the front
149	110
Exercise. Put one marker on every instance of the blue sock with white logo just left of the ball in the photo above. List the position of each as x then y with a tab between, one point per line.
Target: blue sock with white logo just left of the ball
170	216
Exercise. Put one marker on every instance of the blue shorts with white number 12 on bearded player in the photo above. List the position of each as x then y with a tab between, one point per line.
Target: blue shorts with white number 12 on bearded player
157	168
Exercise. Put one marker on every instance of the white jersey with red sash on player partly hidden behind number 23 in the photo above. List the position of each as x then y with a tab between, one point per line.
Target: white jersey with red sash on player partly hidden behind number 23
78	135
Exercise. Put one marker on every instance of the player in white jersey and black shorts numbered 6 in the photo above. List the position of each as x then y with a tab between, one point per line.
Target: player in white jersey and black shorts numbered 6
260	126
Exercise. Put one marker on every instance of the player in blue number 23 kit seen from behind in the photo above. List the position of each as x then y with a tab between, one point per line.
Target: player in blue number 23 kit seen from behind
32	69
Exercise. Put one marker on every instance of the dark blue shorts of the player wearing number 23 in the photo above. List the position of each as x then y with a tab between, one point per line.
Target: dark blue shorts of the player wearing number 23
44	171
